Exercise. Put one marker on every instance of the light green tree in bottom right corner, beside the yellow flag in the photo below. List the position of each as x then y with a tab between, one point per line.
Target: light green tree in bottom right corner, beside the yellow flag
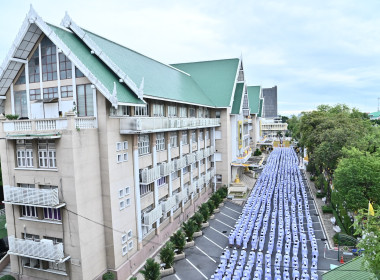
368	227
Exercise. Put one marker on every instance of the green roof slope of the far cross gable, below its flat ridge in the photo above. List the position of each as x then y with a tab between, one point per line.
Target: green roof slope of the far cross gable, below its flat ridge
216	78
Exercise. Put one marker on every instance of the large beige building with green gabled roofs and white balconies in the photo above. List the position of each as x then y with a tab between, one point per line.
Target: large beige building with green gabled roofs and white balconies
105	152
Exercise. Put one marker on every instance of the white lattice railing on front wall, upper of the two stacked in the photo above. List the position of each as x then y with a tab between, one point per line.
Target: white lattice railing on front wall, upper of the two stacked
31	196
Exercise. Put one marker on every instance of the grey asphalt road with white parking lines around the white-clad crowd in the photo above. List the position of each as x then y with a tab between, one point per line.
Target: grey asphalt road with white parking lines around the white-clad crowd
202	259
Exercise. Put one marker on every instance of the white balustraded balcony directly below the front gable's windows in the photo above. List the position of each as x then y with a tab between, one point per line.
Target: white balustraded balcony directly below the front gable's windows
36	127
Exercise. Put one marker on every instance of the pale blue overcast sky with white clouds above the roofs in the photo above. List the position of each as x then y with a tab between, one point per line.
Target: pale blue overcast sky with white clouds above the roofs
316	51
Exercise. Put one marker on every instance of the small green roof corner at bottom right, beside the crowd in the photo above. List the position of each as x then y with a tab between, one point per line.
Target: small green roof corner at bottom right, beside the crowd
351	270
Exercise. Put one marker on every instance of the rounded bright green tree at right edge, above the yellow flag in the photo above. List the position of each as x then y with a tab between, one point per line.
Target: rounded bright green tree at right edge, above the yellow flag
357	178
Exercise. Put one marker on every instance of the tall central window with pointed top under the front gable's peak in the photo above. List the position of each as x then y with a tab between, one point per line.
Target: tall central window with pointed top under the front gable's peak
48	60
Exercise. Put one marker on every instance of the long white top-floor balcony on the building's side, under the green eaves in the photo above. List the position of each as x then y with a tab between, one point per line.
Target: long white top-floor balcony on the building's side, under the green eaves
131	125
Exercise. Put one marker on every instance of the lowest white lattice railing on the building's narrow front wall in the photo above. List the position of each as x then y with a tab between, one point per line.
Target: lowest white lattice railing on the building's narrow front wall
43	249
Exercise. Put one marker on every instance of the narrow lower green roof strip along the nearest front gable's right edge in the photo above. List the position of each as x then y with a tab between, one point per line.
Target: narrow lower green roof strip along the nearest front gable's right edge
95	66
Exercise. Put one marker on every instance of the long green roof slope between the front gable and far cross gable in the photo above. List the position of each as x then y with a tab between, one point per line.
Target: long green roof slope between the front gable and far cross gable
160	80
